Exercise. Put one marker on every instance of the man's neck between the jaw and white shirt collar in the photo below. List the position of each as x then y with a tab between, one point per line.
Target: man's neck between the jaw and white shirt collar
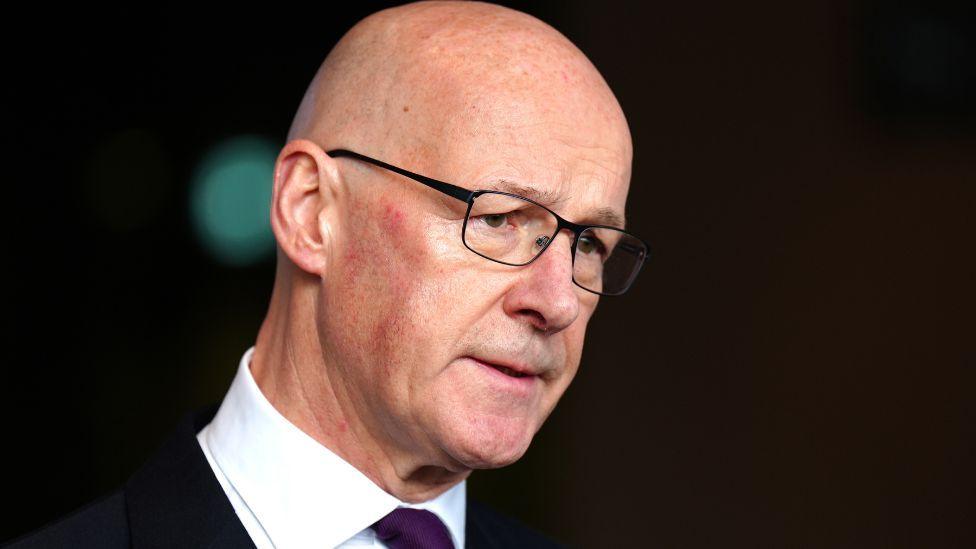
297	378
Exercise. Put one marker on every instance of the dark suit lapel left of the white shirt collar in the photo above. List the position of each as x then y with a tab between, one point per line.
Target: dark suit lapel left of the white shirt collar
176	501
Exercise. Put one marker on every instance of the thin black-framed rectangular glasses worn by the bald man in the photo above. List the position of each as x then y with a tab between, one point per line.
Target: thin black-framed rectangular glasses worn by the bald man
514	230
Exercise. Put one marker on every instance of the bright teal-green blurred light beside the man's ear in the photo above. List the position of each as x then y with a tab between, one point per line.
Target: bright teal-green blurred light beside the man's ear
231	198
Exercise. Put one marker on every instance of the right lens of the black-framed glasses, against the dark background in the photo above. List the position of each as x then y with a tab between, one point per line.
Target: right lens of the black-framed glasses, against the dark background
607	260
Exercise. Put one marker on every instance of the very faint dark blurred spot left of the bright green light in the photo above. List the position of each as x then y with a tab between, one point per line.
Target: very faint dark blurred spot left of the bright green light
129	180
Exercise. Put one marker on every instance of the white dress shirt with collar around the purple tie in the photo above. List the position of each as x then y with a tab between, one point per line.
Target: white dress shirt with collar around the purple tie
288	490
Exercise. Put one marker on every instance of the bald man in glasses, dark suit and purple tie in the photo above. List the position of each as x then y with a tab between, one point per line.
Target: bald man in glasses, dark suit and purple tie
448	209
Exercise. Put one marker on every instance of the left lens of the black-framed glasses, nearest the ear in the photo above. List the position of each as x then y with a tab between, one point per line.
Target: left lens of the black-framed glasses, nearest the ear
507	228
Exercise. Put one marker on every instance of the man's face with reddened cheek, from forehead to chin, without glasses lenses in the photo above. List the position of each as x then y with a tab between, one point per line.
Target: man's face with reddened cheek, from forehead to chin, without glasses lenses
426	333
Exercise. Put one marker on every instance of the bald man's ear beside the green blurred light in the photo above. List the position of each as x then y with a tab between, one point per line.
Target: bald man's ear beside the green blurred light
303	204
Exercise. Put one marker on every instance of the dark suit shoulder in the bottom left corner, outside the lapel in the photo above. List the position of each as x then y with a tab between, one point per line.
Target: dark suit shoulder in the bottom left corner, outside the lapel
102	523
